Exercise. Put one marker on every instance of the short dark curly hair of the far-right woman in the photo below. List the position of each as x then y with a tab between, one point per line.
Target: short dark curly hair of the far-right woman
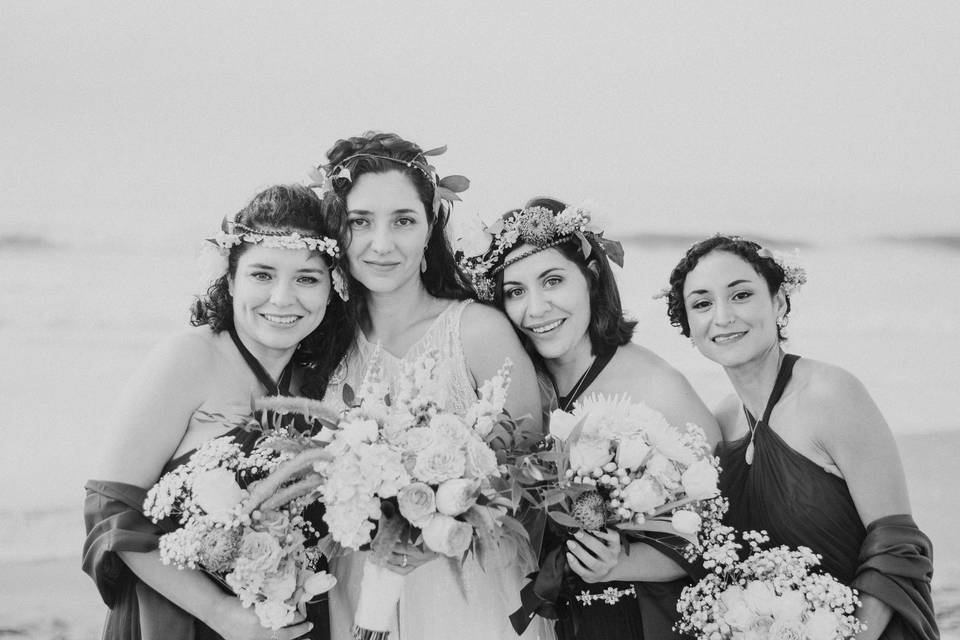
767	268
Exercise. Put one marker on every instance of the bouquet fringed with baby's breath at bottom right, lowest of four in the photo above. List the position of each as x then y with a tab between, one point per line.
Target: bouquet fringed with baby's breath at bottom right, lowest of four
772	594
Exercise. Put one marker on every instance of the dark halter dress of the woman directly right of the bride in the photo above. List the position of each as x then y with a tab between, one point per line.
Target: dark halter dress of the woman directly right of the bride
645	609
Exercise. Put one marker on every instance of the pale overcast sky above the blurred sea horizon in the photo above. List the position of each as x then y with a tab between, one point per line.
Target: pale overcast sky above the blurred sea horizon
804	119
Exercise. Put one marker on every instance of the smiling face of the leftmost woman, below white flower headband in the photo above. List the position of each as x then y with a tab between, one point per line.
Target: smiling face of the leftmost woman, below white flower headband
279	297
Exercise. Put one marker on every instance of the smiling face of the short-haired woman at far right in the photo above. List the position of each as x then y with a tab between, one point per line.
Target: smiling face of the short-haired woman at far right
731	313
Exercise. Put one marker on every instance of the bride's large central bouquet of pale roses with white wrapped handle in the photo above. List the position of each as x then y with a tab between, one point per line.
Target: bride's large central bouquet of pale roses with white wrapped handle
405	470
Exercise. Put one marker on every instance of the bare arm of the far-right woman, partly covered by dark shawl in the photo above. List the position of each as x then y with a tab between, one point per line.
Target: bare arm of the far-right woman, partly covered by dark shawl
858	440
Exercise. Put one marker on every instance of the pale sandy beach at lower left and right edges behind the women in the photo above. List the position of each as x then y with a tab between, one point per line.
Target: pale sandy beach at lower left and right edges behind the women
54	600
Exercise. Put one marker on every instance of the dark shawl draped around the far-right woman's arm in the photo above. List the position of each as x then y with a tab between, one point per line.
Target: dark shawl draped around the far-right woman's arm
896	567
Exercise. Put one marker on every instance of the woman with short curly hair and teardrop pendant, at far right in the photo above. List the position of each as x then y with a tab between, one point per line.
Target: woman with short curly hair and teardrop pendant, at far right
806	454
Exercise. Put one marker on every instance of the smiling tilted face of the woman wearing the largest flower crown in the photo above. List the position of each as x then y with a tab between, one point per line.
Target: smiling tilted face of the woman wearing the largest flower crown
547	297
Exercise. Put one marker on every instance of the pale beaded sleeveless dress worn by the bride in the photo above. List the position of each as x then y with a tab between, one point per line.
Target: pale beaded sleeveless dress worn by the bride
439	600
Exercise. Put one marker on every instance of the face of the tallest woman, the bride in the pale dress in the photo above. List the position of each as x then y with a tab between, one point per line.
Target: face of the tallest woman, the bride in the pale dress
388	232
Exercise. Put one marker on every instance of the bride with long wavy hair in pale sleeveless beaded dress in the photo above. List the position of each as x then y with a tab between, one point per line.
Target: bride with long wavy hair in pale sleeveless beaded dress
408	295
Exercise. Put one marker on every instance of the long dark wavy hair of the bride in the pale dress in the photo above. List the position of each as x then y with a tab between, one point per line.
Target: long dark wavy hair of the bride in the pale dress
443	277
